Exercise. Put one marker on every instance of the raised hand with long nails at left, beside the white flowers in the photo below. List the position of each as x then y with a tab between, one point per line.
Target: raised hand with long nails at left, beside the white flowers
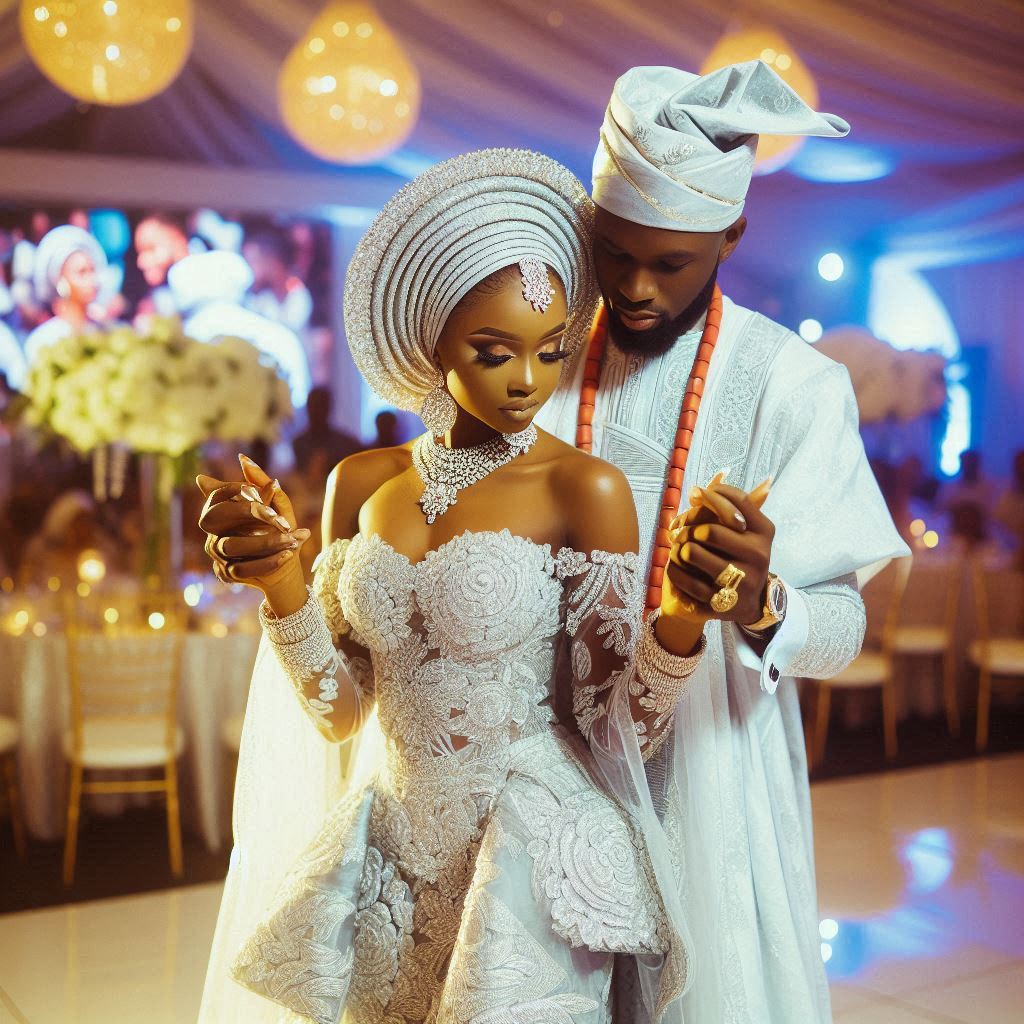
251	531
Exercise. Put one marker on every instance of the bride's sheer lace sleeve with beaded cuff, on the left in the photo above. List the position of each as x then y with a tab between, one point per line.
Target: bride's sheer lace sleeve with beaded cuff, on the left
332	675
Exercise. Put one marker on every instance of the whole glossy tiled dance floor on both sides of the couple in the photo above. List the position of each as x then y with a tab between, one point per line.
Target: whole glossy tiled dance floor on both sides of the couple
921	878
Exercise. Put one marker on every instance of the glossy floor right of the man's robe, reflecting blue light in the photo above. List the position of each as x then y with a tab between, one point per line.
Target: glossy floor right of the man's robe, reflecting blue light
922	892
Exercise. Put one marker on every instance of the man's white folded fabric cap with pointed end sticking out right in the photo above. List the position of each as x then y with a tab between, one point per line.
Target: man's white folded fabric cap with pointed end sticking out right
677	150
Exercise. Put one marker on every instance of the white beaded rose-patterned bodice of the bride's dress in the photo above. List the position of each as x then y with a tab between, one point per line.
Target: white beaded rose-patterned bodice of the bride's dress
462	644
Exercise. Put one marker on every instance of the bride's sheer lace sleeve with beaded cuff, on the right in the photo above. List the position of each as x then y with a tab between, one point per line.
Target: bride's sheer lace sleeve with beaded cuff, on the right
613	653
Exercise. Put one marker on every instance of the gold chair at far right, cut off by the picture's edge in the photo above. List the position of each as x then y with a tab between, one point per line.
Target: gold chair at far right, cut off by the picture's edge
999	651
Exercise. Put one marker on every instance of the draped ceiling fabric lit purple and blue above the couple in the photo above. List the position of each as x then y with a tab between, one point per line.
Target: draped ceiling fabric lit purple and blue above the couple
933	89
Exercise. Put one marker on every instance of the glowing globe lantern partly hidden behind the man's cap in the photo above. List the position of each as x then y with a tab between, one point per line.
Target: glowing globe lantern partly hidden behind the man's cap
775	152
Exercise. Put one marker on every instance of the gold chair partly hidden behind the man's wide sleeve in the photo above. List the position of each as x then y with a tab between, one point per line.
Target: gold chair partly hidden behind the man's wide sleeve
874	666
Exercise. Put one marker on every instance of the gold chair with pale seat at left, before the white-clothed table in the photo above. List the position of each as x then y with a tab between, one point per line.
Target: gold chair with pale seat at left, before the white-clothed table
124	689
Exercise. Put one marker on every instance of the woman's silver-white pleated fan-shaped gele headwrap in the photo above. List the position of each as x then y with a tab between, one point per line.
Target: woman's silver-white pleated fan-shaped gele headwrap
447	231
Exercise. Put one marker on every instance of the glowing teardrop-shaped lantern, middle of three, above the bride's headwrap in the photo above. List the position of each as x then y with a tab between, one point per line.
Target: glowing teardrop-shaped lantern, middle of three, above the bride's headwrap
348	92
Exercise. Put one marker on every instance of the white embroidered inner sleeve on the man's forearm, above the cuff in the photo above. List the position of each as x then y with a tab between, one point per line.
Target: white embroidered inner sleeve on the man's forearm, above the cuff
836	628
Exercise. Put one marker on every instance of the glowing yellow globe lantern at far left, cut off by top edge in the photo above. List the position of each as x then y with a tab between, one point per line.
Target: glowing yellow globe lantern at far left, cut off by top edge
112	53
